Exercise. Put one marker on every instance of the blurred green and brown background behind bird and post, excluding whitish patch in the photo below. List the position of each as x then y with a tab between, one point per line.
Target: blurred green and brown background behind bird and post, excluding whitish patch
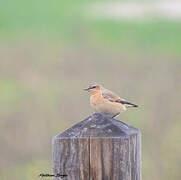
51	50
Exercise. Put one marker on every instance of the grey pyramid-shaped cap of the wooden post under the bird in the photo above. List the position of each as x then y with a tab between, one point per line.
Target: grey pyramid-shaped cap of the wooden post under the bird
98	125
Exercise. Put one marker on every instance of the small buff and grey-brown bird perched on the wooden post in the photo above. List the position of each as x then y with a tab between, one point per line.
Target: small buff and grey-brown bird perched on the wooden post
106	102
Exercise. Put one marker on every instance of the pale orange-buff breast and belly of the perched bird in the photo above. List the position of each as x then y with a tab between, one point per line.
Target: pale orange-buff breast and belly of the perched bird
102	105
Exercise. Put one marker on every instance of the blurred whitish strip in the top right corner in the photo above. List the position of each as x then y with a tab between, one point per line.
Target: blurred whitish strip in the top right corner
135	10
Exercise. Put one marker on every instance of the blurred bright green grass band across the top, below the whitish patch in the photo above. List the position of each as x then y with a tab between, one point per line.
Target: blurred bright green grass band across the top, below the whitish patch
67	22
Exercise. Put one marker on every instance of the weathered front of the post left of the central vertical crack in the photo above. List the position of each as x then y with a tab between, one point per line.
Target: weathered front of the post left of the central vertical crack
71	157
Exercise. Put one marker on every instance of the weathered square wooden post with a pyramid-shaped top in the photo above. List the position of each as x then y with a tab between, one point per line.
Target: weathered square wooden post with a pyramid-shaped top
98	148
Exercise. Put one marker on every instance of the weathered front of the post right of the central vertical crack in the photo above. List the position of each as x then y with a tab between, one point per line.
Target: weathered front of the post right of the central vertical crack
114	159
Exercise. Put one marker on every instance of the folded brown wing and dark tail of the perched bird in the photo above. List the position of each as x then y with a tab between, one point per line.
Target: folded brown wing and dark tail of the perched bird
107	94
